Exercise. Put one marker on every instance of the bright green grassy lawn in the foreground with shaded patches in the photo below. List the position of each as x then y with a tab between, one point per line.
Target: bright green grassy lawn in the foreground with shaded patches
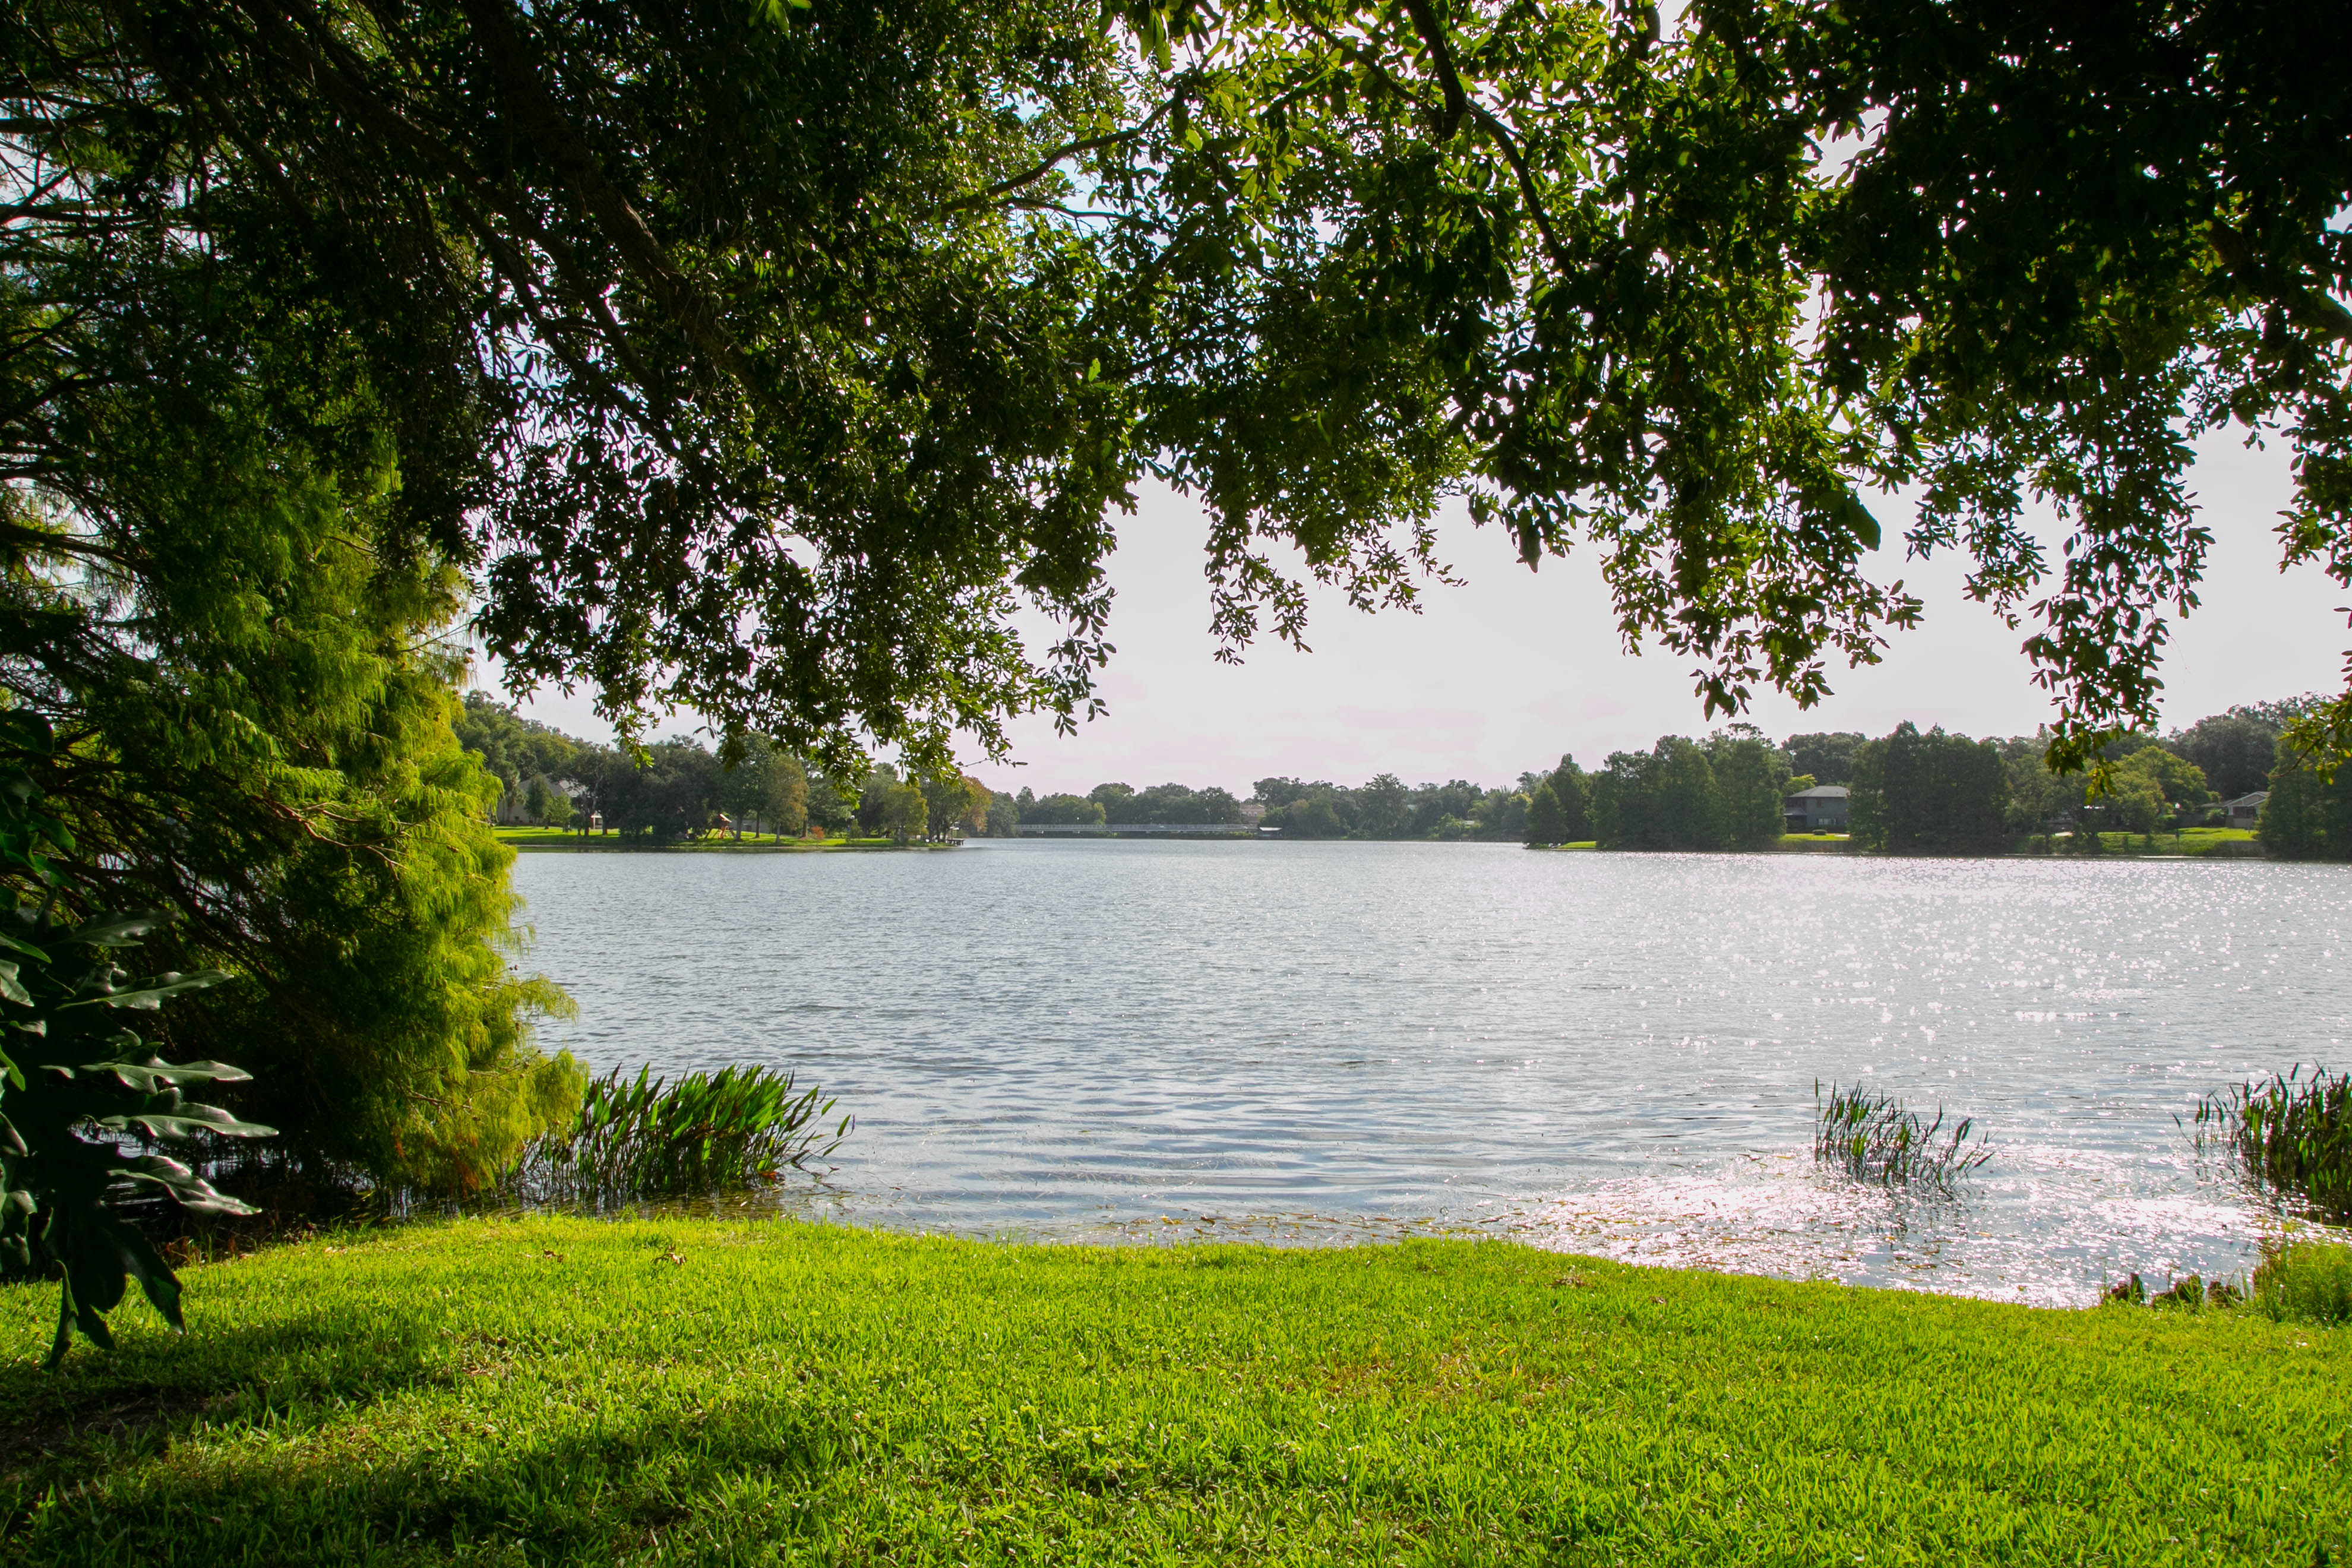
756	1393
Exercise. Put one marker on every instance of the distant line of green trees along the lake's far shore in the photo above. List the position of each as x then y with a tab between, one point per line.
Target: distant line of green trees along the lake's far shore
1911	791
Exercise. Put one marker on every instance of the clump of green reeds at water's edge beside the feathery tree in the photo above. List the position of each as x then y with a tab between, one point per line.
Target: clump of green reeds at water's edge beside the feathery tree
646	1137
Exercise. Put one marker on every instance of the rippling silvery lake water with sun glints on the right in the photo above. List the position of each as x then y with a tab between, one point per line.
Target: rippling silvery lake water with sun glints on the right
1608	1054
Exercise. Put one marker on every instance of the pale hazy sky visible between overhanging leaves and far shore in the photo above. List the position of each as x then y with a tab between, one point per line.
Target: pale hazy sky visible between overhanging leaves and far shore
1516	669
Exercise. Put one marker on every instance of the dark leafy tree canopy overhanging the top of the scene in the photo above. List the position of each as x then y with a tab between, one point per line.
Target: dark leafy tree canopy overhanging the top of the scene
768	359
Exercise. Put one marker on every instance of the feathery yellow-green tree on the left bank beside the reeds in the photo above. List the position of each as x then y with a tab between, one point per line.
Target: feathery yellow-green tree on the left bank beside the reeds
215	596
